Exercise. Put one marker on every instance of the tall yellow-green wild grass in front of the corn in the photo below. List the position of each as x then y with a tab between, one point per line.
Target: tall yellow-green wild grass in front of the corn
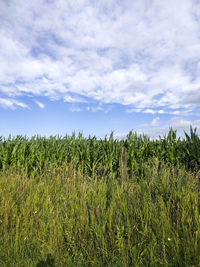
63	217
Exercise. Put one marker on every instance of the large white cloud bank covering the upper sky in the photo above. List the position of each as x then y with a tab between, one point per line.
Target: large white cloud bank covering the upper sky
139	53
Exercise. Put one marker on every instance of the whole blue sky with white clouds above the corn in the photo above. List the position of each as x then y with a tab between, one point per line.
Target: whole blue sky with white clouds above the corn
99	66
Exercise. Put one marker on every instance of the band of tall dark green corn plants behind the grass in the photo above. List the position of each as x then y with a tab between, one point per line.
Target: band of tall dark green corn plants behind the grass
92	156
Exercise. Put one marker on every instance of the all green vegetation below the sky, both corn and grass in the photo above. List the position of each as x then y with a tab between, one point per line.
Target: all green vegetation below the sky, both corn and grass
75	201
